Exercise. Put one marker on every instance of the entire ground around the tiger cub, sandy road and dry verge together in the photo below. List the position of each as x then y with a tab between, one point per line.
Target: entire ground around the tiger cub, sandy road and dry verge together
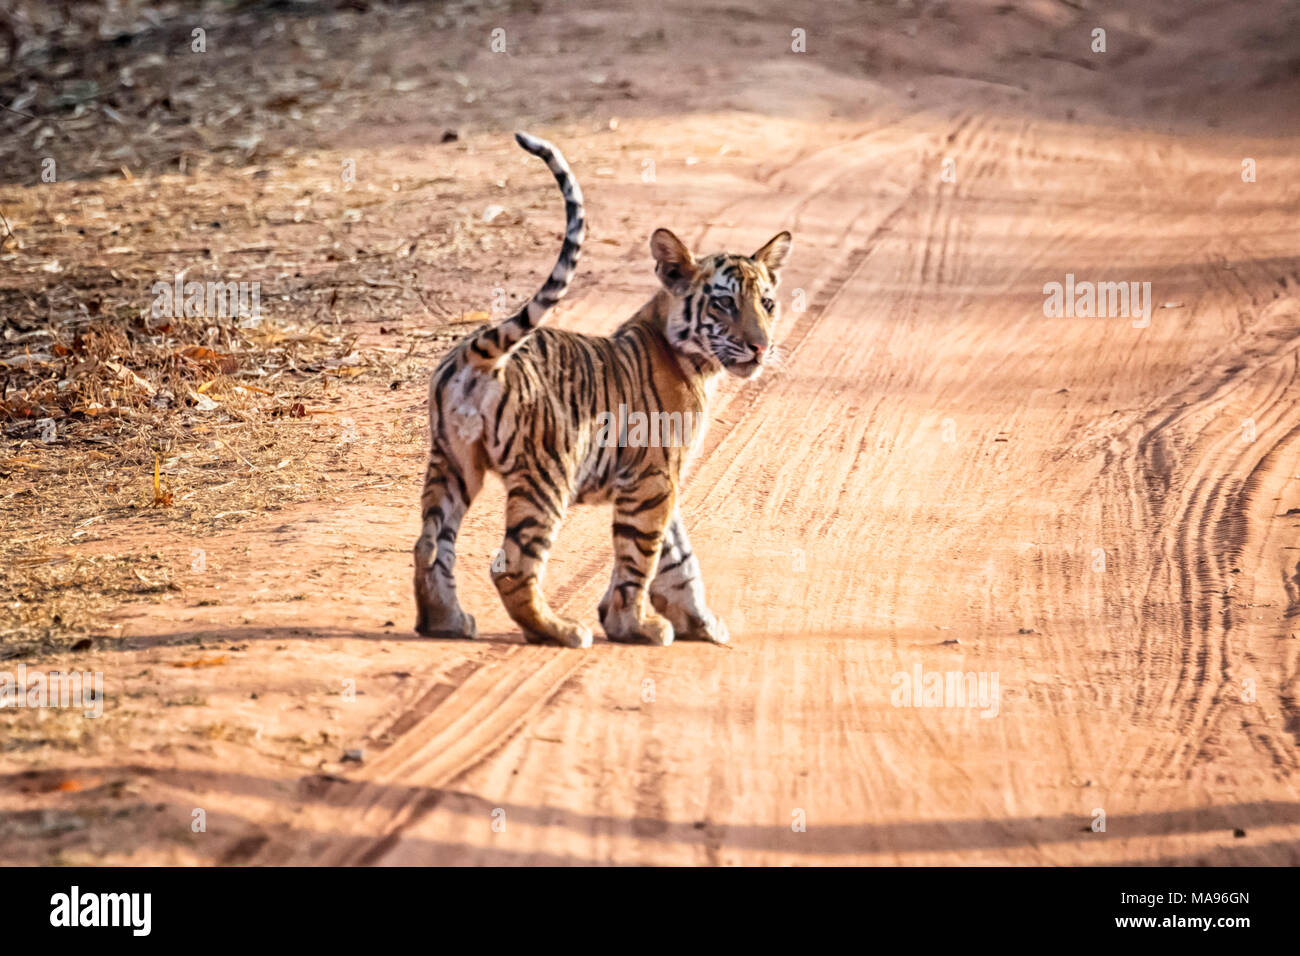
215	512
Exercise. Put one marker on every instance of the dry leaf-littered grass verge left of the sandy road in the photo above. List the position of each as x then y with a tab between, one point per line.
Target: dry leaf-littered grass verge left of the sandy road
123	425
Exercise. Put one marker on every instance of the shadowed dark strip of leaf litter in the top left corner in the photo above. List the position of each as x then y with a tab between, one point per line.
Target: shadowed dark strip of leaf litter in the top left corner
110	88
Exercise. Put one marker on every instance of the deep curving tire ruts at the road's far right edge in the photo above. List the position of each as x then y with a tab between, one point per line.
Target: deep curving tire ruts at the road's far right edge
1203	517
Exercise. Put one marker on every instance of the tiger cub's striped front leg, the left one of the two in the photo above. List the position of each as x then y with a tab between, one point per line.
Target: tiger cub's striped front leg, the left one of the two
640	520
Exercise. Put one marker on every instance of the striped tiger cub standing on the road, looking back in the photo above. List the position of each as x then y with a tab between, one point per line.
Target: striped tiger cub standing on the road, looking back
536	406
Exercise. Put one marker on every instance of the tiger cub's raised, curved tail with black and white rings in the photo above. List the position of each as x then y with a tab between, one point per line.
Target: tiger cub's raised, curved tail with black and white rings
491	345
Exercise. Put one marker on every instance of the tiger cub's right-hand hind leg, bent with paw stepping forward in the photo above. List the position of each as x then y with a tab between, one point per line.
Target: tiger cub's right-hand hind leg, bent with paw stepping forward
531	525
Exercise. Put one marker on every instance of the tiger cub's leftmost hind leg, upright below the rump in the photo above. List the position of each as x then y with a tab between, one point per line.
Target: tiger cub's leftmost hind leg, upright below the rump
449	487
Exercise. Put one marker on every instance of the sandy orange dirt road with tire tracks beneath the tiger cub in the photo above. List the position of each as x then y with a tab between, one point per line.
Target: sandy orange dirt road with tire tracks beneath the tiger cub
1095	517
